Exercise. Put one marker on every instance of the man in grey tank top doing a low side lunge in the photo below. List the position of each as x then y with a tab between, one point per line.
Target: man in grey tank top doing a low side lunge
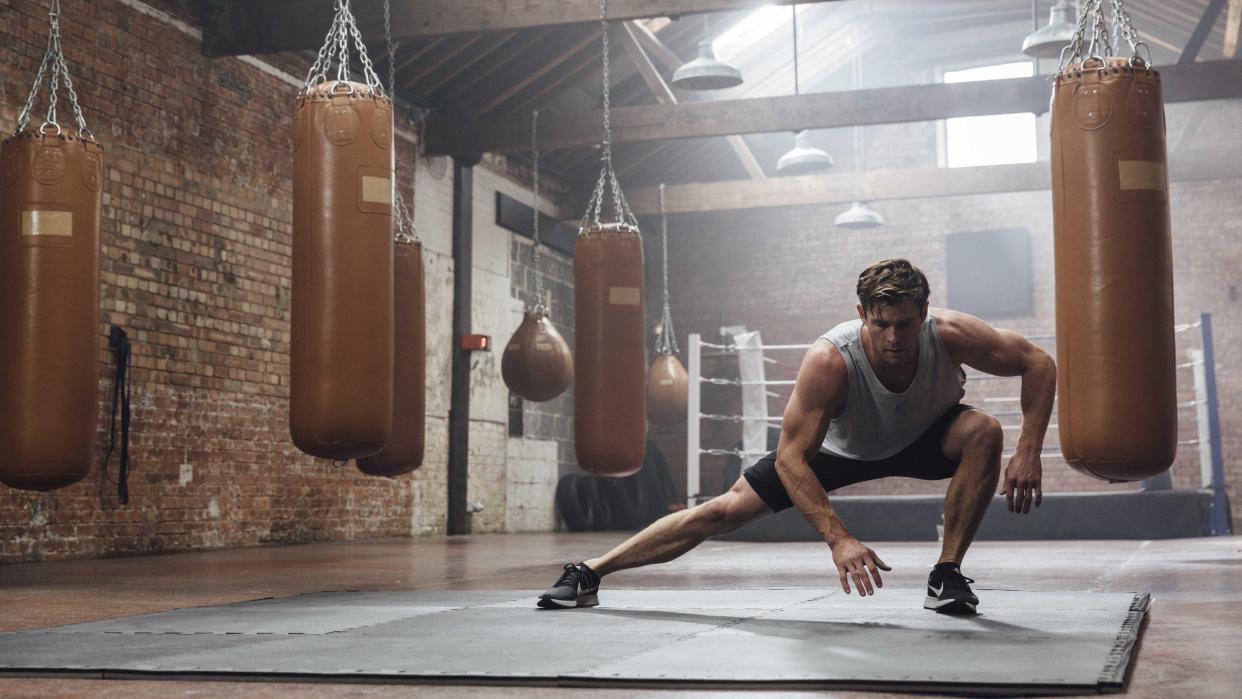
875	398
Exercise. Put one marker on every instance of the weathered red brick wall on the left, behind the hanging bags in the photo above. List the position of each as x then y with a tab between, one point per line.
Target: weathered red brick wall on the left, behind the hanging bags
196	255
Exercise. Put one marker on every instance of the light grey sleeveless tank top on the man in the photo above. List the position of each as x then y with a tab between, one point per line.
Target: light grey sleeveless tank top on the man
876	423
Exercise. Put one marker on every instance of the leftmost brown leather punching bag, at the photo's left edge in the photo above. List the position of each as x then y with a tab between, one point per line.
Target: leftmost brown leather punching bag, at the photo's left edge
50	204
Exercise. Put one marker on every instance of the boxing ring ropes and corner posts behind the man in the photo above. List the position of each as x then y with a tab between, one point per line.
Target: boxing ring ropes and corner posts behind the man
1200	361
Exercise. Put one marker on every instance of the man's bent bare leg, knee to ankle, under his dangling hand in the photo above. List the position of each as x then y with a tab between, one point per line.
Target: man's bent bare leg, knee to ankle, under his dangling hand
976	441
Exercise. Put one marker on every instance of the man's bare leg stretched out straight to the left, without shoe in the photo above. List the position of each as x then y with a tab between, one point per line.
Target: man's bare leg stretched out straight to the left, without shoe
673	536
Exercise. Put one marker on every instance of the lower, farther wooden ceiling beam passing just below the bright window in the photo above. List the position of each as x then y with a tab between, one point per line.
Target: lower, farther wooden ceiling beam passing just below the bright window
885	186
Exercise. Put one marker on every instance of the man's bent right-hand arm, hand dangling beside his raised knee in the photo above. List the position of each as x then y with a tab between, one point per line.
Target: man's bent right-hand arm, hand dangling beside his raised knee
1005	353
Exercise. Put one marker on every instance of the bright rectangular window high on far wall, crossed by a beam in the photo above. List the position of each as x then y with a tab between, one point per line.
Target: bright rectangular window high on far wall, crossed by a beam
995	140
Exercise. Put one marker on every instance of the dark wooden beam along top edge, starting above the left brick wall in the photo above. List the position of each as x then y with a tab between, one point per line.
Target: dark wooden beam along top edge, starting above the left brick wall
249	27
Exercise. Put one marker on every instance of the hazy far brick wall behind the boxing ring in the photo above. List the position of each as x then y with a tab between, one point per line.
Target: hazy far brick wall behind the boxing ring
791	274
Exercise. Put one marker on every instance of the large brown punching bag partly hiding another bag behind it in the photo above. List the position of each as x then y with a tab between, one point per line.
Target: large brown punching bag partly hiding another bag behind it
341	384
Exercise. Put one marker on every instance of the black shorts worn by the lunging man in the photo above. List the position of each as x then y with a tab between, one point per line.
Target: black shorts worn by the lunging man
922	460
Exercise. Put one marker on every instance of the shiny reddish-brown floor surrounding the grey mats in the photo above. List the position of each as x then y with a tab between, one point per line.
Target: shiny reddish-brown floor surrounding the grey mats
1190	647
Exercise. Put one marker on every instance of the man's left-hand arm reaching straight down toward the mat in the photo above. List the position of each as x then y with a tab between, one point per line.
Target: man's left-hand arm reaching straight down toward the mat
819	395
